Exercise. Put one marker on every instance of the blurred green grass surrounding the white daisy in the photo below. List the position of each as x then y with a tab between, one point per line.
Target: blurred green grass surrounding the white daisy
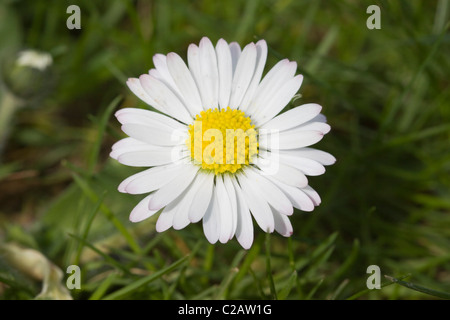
385	202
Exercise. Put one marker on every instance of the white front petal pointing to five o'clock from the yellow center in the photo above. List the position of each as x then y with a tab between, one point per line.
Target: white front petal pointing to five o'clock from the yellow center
258	206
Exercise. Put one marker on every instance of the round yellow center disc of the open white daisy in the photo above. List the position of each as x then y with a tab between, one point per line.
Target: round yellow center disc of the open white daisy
222	140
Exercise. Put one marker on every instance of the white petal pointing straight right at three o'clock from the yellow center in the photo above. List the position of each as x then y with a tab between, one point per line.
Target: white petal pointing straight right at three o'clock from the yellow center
291	140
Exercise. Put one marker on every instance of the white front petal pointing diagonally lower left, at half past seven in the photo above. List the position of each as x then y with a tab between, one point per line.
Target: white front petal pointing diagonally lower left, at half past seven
173	189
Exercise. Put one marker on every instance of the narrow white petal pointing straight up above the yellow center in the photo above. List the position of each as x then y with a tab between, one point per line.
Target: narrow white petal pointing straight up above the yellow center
225	69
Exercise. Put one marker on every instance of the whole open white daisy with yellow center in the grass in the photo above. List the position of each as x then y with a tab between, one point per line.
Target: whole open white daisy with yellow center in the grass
197	172
